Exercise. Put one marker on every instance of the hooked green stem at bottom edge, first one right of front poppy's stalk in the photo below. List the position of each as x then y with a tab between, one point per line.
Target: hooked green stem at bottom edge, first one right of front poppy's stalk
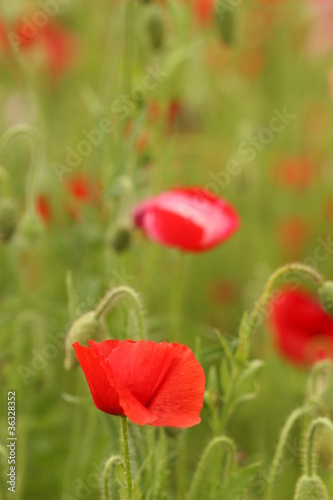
192	493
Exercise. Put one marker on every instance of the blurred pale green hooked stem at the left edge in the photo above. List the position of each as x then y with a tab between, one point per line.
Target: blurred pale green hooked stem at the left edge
37	151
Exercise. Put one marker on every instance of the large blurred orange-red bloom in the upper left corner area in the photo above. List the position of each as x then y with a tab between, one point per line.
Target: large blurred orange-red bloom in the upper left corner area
55	42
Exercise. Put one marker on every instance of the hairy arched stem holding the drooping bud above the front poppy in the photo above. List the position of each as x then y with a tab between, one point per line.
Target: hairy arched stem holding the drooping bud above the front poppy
112	296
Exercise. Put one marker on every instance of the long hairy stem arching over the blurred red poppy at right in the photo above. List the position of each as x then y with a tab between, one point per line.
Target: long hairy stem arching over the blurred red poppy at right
249	322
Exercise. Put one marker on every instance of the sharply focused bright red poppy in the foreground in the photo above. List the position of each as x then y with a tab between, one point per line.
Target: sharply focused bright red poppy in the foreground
150	383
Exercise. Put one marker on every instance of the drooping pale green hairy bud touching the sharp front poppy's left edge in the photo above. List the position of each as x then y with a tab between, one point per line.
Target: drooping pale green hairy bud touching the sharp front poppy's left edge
85	328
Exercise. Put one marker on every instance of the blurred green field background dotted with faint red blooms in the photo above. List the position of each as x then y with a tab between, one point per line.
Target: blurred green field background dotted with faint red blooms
207	121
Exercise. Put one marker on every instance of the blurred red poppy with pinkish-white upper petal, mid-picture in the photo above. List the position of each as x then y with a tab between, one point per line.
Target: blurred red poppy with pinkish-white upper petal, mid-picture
189	218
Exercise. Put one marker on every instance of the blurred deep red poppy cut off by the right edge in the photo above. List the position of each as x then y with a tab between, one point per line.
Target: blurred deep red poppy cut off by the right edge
303	330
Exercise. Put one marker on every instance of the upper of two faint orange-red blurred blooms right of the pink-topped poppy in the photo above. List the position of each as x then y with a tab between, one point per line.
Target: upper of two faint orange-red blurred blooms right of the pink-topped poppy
296	172
